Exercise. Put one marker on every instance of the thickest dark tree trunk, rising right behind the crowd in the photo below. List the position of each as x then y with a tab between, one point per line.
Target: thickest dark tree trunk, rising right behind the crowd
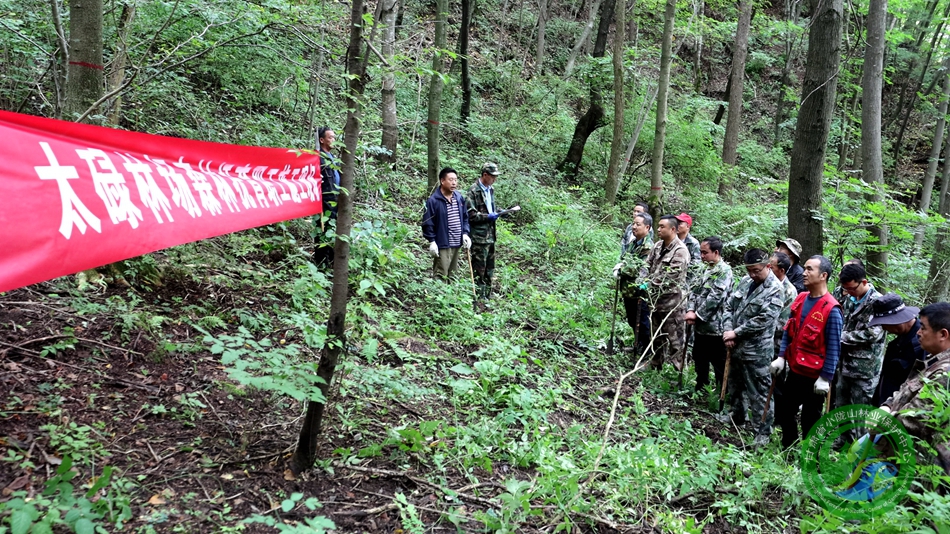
814	123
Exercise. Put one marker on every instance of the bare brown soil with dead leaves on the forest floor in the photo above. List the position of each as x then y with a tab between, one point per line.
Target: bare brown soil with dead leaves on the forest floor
200	452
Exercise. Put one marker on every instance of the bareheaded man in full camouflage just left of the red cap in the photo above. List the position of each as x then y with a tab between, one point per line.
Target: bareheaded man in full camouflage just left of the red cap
664	277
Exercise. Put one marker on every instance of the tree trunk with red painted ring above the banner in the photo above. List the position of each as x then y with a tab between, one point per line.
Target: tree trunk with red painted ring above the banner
85	71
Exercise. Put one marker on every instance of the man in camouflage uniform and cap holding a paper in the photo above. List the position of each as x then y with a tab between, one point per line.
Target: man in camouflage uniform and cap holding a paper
482	214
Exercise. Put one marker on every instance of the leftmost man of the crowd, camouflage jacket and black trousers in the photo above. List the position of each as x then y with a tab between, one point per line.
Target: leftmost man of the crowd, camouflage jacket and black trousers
634	249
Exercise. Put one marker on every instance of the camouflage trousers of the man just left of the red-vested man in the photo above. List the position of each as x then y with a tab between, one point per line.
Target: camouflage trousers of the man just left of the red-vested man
749	382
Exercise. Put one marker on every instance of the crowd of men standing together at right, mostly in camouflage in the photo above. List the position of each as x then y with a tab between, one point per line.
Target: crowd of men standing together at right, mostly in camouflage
789	341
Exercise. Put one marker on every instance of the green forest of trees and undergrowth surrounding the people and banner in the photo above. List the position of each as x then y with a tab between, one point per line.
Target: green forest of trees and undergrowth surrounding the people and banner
233	384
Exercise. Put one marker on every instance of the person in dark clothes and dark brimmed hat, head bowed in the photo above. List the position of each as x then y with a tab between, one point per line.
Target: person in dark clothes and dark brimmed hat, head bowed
903	354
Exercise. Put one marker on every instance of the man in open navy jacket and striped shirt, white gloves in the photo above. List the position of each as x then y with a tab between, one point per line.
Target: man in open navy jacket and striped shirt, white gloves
445	223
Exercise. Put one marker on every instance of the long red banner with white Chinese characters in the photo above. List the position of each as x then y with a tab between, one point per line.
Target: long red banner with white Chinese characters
75	196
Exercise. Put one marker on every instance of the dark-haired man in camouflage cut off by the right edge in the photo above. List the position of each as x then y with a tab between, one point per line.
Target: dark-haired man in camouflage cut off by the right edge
908	405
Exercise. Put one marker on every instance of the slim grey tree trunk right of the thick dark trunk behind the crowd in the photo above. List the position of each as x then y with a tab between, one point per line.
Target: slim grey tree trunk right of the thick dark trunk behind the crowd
871	164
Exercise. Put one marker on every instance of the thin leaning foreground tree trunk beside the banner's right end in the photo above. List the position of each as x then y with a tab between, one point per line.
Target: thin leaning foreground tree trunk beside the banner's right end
306	453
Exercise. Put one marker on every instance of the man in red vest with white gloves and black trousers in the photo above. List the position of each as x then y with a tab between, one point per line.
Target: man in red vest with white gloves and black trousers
811	346
